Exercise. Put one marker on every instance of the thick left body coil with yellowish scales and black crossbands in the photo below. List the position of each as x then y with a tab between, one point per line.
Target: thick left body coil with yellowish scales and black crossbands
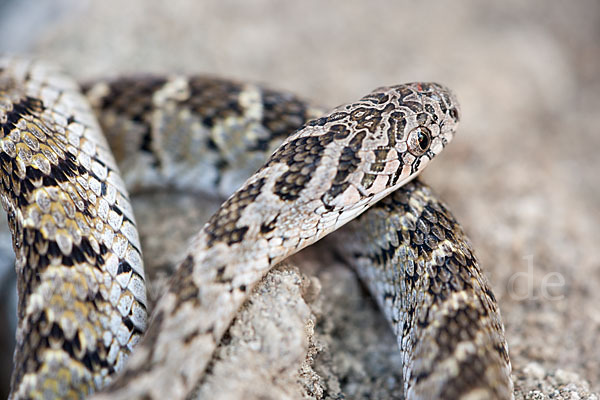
82	297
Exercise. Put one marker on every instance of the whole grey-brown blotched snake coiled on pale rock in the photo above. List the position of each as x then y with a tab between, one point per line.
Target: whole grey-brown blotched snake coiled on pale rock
84	327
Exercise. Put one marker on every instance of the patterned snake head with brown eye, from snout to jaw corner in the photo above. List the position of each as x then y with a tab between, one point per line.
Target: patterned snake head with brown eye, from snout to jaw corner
386	139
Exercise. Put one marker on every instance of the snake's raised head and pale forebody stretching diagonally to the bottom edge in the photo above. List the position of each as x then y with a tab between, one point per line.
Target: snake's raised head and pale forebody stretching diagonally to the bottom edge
322	176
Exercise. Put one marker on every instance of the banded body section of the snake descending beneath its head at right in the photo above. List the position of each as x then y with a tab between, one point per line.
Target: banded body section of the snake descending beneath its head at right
420	267
